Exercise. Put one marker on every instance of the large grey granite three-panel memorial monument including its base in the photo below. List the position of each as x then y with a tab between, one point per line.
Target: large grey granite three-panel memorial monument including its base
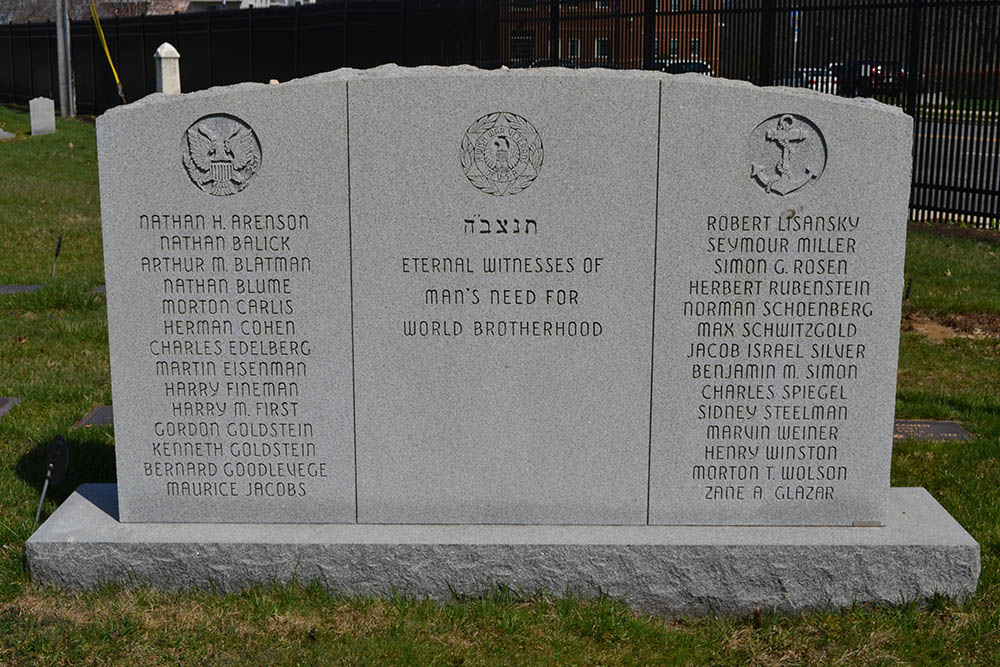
573	331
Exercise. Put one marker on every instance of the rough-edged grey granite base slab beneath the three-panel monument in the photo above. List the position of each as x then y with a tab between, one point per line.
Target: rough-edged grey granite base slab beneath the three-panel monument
673	570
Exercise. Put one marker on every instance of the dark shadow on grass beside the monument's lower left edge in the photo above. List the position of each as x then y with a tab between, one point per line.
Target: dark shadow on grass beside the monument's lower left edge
91	459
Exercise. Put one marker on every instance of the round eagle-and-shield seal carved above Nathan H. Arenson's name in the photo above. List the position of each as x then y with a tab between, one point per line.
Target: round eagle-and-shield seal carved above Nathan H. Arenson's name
221	154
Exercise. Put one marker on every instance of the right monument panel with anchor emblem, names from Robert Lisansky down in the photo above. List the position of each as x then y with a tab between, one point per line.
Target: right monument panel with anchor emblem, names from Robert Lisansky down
780	243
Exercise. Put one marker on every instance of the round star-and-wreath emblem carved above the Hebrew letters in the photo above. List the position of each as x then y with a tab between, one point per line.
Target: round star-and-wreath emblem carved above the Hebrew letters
501	153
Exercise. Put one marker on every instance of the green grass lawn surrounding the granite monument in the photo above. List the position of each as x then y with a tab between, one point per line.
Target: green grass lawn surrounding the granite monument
54	356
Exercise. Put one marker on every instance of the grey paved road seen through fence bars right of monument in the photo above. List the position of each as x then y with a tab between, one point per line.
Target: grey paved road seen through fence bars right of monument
956	154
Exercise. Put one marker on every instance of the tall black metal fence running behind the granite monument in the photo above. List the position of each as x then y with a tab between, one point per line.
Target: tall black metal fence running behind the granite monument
937	59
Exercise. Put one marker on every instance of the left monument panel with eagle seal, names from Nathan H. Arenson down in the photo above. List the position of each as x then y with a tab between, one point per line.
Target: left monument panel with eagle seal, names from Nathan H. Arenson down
226	243
